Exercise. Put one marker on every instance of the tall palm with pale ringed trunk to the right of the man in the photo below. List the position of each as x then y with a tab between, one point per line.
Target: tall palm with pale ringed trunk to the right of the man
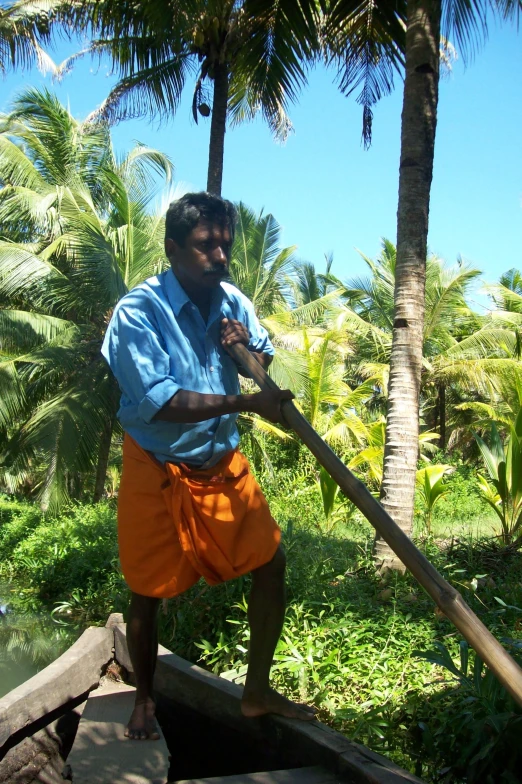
462	22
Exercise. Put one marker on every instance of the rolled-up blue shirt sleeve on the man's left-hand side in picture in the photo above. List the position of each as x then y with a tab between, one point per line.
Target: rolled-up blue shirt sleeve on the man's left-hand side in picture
138	359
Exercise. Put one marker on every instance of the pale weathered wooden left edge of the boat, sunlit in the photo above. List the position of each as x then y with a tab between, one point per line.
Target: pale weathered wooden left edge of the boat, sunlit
69	676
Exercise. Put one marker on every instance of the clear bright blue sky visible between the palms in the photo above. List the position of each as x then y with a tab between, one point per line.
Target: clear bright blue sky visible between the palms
327	192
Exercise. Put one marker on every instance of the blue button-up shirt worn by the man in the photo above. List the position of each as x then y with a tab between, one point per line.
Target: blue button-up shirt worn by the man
157	343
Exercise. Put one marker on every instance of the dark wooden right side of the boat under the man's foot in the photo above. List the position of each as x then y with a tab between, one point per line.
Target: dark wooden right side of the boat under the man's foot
307	743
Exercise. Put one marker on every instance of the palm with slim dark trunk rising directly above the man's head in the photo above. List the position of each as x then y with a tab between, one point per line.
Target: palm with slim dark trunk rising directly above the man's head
244	57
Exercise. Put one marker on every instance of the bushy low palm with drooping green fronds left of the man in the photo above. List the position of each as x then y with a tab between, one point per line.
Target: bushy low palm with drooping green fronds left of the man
89	239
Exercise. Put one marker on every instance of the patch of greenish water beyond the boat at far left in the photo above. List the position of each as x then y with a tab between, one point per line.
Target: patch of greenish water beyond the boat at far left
29	641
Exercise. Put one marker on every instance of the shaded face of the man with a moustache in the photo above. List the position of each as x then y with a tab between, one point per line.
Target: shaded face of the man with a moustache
202	262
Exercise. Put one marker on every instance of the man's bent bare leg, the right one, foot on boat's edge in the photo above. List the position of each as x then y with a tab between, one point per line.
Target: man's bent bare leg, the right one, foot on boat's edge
266	612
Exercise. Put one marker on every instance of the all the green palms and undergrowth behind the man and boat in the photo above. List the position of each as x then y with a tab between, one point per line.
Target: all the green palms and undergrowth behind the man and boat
420	395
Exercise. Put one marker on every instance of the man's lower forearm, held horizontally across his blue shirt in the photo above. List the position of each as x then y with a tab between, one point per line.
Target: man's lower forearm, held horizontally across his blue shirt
188	407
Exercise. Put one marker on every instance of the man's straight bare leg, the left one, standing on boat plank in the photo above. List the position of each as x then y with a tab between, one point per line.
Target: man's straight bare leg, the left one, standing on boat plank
142	641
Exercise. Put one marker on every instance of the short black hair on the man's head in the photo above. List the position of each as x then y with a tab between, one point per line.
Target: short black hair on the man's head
184	215
